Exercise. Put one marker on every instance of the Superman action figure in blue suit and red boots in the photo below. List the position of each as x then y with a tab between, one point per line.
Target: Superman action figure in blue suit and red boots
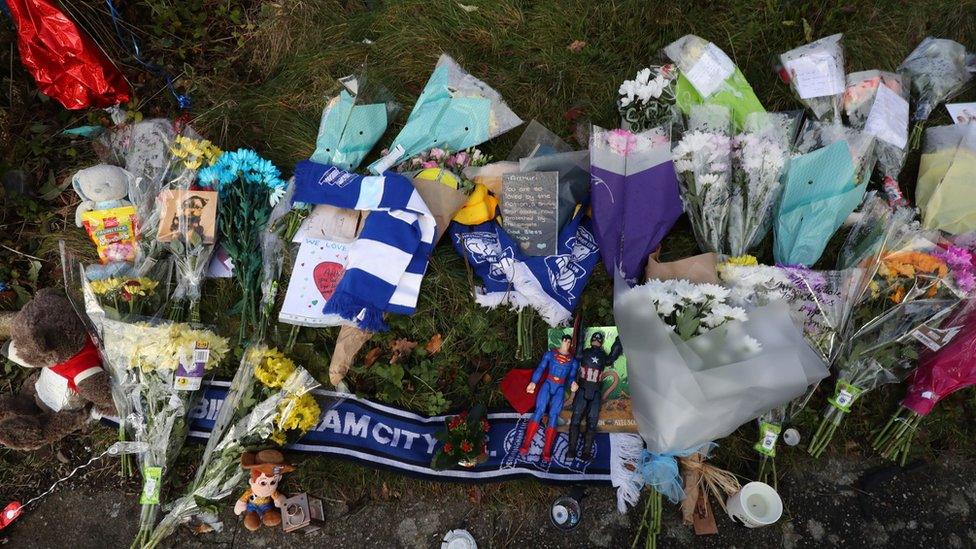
559	368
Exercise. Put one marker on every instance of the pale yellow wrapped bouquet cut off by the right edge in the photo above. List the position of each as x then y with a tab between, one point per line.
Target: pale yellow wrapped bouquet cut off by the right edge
944	192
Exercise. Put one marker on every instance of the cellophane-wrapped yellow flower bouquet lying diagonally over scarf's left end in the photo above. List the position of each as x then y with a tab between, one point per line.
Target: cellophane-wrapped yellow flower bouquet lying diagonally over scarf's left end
249	416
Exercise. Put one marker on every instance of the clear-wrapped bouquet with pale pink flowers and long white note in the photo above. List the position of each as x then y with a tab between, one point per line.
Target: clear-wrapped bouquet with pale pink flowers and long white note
876	102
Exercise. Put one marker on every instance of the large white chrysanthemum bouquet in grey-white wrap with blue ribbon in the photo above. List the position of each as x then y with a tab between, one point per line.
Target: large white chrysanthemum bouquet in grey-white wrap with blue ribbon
700	366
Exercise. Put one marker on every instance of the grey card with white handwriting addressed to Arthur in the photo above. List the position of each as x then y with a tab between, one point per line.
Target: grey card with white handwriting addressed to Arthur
530	210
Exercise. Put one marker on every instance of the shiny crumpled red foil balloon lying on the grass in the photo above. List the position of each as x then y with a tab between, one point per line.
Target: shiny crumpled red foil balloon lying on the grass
67	65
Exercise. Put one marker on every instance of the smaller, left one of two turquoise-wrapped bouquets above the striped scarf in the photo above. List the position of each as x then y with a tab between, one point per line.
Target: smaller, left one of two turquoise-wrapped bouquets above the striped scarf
355	117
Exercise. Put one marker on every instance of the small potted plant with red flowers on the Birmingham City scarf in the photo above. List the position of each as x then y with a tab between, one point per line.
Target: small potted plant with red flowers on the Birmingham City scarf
465	440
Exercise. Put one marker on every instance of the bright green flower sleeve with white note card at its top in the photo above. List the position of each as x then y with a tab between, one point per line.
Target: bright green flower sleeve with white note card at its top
708	76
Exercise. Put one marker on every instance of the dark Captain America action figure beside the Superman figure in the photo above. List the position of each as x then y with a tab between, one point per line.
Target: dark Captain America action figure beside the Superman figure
587	401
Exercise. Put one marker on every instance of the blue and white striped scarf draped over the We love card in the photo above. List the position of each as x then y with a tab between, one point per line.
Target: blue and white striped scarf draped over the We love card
387	262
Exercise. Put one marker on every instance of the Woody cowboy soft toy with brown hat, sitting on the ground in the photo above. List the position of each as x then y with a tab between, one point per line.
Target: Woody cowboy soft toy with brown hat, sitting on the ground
260	504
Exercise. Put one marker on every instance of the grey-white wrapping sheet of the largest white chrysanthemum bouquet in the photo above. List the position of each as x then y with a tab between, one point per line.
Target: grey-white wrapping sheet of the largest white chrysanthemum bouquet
687	393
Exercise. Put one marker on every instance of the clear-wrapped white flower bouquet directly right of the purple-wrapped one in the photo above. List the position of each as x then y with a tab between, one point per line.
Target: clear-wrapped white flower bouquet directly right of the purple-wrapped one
703	162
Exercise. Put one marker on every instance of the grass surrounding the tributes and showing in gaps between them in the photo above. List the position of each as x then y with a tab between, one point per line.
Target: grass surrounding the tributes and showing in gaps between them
258	73
